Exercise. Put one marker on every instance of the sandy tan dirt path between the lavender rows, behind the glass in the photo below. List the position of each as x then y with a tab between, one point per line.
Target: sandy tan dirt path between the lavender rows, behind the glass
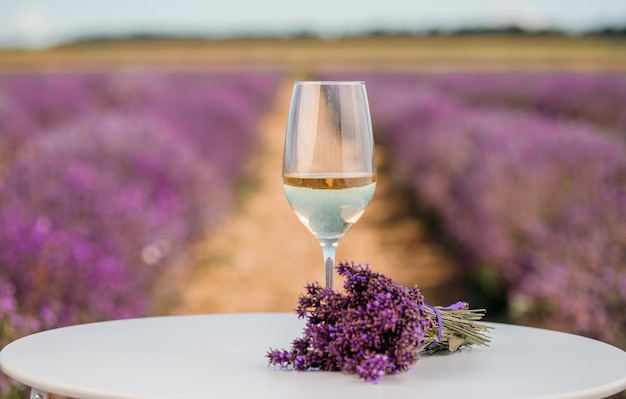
262	257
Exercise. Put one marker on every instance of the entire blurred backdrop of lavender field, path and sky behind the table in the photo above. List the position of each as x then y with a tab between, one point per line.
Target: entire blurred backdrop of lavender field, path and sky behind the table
141	145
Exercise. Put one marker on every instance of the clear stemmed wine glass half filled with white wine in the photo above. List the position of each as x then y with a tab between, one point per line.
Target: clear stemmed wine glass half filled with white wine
329	169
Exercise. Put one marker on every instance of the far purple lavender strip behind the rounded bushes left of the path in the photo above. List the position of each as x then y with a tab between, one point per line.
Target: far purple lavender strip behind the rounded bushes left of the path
192	104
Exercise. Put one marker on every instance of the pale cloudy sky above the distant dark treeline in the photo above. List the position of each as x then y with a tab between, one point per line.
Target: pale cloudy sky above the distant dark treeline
36	24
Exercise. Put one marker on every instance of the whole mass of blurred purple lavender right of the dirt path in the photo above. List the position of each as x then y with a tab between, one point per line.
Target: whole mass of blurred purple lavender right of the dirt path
527	173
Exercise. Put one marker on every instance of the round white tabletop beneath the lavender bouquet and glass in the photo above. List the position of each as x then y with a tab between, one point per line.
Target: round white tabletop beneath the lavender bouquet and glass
223	356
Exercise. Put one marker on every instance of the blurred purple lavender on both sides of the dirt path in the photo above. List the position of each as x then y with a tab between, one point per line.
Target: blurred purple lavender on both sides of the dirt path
107	178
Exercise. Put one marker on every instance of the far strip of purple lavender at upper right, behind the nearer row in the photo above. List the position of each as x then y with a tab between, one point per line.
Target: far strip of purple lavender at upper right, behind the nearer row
599	99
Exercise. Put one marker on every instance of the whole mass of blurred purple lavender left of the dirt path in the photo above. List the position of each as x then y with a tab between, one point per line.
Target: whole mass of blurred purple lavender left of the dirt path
107	177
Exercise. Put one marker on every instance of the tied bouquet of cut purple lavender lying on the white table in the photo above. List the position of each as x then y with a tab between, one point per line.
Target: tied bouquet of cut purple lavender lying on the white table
376	327
